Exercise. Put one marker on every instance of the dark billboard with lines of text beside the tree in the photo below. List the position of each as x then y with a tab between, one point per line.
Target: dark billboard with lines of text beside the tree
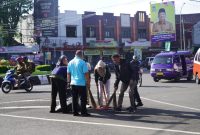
46	18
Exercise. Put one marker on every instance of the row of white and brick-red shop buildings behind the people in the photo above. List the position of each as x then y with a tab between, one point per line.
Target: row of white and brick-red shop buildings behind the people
106	34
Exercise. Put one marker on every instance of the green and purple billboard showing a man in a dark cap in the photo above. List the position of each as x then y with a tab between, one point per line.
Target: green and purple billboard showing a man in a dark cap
163	19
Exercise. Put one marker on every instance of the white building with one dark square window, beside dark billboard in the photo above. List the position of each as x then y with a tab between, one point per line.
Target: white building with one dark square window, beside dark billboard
69	30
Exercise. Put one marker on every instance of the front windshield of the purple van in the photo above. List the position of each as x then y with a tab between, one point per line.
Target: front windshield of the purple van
162	60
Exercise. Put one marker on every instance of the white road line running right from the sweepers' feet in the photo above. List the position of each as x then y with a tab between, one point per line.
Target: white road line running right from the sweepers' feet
161	102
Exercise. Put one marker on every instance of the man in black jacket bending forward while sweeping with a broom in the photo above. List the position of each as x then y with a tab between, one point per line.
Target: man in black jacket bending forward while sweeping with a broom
123	73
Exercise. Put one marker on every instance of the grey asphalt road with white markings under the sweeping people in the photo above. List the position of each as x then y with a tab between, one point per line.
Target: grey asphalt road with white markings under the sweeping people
170	108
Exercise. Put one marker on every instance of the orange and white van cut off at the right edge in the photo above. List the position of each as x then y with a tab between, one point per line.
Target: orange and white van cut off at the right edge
196	67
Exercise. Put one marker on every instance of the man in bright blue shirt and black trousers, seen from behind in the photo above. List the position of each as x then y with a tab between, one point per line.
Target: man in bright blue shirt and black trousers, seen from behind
78	76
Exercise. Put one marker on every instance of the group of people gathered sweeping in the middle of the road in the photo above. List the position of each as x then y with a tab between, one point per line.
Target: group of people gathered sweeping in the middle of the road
76	75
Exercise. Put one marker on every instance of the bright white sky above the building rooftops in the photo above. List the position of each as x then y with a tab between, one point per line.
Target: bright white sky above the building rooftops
125	6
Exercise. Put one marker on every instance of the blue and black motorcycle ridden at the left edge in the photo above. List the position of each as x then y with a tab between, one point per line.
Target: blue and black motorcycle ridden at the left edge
11	82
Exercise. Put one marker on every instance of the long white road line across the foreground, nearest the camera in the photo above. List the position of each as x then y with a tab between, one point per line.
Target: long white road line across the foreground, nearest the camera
102	124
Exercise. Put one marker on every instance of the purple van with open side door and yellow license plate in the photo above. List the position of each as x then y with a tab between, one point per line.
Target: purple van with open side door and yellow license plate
172	65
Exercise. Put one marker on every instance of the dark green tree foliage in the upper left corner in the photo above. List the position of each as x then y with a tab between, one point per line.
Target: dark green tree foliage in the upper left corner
10	13
